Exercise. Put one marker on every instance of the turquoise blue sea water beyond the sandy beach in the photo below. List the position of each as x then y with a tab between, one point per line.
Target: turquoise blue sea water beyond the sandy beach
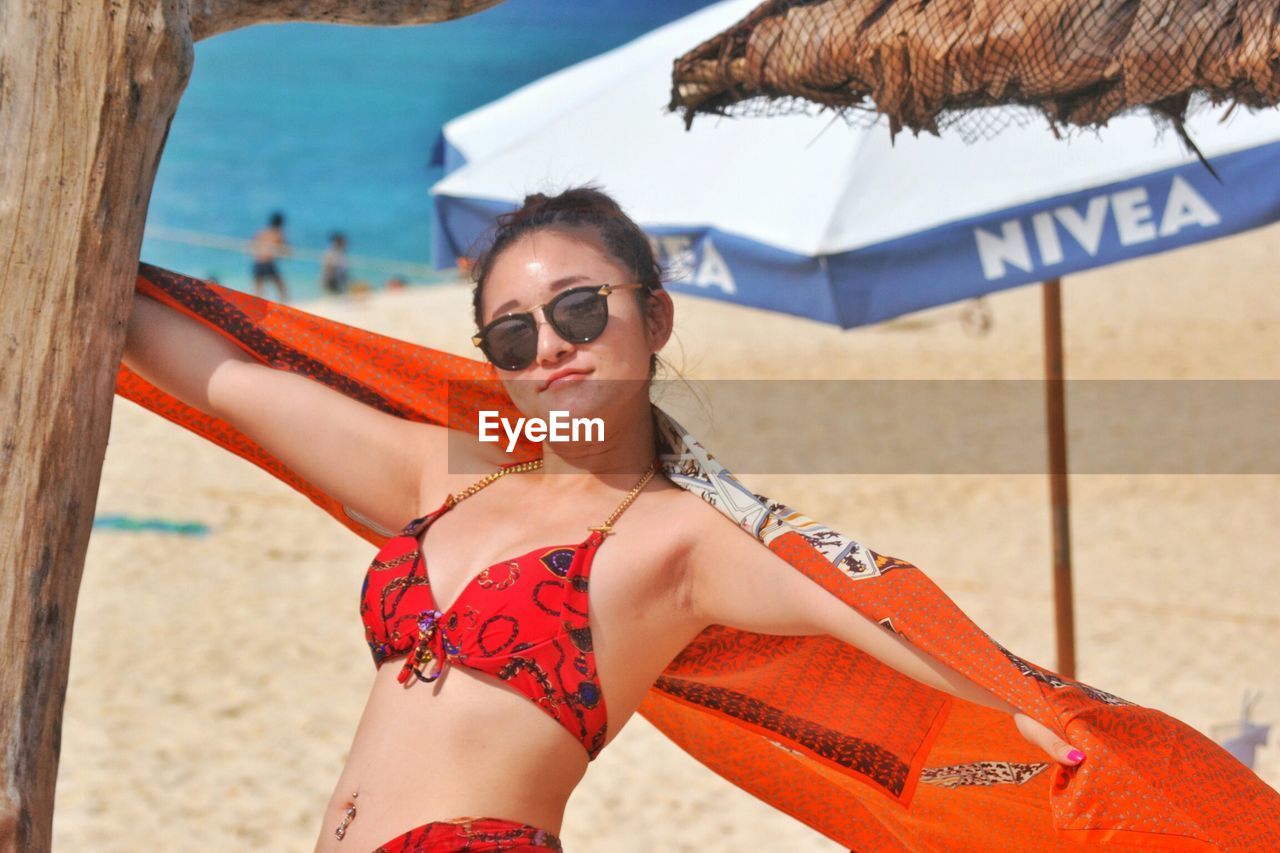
335	127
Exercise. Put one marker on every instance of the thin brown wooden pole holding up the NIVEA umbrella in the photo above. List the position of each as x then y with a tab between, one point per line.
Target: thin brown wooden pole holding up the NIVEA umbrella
1055	402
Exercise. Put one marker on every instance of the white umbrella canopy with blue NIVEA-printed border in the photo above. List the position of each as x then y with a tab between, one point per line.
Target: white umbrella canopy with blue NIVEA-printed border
808	216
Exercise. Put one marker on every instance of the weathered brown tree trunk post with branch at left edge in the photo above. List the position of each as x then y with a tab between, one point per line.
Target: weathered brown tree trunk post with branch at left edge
88	92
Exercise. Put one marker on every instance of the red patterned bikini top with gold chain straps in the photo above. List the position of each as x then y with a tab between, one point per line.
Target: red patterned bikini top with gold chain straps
523	621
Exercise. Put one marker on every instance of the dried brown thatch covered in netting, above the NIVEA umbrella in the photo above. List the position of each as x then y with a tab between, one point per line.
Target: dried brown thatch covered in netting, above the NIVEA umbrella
917	61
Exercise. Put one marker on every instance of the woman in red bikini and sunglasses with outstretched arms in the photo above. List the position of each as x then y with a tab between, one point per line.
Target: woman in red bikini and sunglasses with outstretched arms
505	735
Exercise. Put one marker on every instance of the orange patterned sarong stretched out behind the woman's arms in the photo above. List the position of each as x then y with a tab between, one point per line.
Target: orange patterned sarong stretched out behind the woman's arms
824	732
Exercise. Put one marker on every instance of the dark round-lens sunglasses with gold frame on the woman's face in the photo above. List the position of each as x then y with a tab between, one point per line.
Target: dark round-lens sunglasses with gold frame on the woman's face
579	316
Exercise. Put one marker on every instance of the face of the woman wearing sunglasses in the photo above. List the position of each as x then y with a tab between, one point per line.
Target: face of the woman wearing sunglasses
589	380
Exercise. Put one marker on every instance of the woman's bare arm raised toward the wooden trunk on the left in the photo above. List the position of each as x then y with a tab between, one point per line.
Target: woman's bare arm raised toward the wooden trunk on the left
374	463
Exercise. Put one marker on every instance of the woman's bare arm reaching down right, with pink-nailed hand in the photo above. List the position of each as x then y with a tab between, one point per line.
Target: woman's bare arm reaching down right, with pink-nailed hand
732	580
